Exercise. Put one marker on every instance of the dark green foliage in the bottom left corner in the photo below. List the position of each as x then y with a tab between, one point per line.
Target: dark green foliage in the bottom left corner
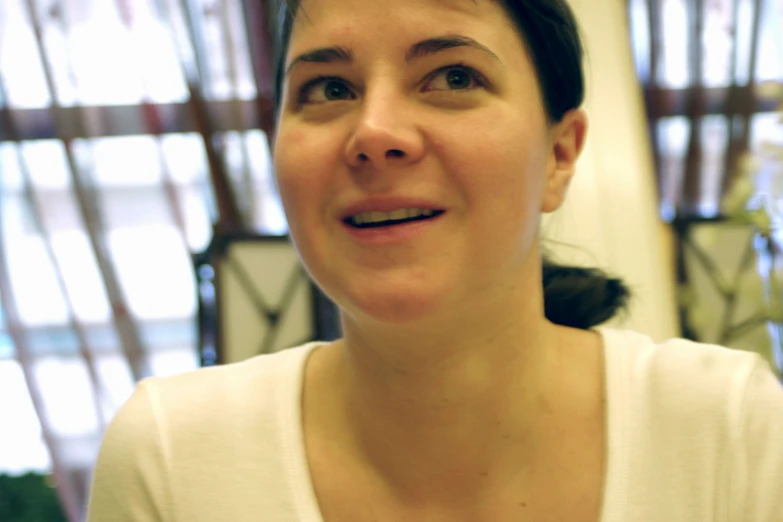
29	498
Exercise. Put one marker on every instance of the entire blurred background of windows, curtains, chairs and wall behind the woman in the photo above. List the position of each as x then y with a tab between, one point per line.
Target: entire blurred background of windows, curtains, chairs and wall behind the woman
140	231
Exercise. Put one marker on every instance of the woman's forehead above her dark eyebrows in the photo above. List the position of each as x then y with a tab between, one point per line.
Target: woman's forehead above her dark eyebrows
324	21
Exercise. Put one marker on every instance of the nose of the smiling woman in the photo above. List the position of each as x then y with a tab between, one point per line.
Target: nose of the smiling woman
386	134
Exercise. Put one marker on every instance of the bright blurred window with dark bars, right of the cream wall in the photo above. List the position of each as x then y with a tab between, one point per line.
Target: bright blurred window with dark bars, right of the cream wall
706	76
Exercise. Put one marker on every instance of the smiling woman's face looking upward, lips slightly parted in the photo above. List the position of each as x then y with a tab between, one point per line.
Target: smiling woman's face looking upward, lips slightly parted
401	105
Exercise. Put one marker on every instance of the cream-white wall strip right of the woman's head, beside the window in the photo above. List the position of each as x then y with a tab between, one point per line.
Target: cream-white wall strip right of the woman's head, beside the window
611	213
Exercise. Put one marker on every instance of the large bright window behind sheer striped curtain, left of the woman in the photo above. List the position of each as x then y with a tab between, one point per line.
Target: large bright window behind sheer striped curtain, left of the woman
105	223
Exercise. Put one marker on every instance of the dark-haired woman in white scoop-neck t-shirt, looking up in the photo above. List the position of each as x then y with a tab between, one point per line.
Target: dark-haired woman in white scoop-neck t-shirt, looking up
418	143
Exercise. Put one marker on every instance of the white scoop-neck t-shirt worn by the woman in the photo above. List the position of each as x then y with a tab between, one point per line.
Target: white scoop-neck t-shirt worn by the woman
695	434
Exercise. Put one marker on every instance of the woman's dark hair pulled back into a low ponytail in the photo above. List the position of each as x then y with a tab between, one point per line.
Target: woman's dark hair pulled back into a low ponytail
573	296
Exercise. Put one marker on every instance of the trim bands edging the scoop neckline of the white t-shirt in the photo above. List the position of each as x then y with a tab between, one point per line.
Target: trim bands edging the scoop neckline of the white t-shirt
307	508
